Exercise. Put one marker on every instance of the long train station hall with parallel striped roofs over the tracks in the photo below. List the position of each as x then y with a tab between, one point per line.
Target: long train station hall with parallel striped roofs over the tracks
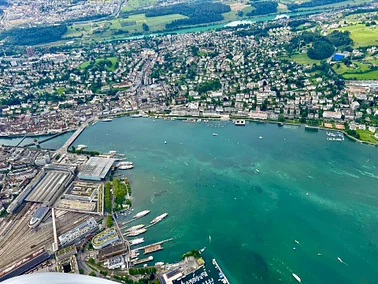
51	183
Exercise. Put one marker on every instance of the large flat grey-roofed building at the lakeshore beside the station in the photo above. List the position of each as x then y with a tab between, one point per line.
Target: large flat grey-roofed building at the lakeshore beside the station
96	168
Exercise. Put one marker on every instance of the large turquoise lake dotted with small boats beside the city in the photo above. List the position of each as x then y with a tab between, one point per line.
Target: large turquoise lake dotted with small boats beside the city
249	220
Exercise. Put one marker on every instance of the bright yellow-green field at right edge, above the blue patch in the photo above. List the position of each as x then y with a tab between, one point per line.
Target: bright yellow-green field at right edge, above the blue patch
362	35
